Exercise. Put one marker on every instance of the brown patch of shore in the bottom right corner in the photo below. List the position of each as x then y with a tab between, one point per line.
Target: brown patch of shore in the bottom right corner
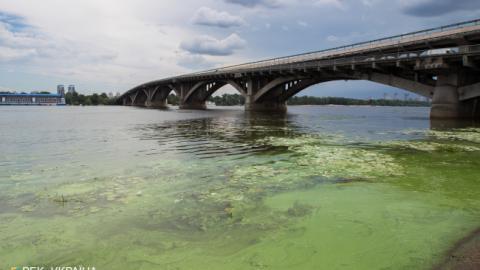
464	255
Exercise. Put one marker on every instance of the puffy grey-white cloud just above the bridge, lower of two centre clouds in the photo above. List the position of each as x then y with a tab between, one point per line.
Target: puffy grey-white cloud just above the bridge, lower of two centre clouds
208	45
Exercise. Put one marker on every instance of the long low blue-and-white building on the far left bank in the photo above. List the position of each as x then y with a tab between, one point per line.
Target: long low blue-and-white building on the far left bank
32	99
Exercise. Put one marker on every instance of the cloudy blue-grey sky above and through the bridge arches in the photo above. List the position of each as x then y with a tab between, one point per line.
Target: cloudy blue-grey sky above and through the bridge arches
114	45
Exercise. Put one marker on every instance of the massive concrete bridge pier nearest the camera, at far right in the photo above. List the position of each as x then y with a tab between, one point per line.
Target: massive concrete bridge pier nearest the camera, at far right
446	102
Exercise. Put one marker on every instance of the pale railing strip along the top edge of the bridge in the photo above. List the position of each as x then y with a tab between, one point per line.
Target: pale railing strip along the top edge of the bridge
428	33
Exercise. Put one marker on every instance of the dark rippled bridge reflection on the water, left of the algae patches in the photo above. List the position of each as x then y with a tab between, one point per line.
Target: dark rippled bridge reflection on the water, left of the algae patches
234	135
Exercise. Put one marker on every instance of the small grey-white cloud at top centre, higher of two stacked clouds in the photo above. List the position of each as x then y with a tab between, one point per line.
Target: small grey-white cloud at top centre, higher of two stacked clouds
211	17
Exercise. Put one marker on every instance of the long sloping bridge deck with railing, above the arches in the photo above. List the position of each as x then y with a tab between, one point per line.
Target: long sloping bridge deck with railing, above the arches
403	47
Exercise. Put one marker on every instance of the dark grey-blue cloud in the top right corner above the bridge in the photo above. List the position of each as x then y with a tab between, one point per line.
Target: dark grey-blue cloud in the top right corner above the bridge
431	8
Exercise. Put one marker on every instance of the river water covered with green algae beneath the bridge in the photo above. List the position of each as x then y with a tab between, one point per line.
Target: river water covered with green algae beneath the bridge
319	188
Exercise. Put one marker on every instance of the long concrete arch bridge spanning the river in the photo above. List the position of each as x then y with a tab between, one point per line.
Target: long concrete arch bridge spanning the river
439	63
